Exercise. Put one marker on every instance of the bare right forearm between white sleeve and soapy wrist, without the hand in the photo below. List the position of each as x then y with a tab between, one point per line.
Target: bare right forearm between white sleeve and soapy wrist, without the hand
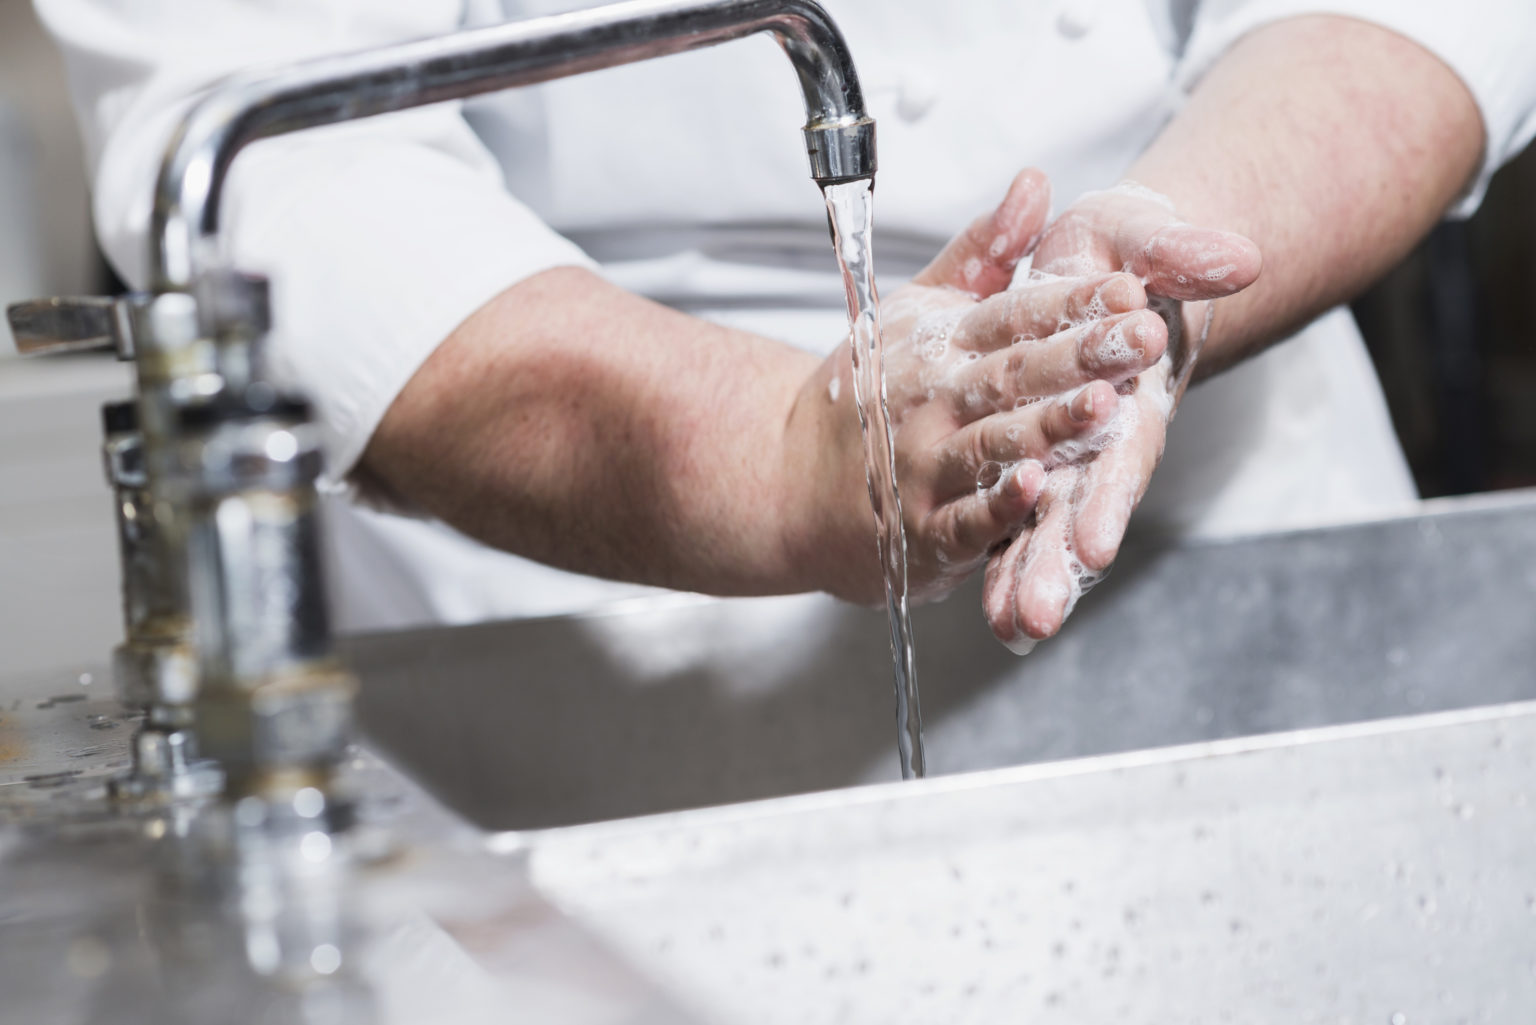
1336	174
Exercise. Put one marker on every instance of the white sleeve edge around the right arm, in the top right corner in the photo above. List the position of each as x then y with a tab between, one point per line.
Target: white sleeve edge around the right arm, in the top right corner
1489	44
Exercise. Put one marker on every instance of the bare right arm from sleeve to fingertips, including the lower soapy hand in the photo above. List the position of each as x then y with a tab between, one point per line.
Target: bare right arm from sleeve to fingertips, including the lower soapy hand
1331	144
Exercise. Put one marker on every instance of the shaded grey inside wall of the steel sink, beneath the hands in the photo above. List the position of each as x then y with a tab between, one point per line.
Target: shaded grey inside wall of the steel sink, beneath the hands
690	703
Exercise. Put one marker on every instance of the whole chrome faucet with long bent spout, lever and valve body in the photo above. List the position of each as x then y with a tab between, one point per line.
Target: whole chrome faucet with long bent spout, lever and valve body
233	460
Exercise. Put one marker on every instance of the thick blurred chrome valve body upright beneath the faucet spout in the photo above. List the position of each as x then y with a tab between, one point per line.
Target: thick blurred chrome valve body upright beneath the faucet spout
274	705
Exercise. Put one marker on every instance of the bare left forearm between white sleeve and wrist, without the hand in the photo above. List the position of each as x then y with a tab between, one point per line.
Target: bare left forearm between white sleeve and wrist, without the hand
591	430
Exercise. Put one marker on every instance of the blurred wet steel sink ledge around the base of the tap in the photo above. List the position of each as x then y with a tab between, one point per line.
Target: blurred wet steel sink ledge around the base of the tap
136	915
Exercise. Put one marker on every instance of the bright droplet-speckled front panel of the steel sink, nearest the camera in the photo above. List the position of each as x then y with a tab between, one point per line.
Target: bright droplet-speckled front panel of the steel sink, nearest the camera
1375	874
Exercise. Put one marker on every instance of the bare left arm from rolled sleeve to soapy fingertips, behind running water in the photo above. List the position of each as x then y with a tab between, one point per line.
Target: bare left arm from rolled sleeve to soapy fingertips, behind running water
592	430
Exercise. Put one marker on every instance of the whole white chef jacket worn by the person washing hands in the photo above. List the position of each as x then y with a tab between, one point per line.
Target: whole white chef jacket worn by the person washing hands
684	179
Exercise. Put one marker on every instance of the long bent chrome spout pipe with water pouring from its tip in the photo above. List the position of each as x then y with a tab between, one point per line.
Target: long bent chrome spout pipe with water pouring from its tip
253	107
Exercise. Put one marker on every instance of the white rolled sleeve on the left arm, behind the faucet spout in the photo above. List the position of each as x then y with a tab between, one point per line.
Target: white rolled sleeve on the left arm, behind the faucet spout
380	237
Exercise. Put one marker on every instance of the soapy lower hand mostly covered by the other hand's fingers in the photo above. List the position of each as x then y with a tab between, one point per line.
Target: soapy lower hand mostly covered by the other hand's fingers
1087	505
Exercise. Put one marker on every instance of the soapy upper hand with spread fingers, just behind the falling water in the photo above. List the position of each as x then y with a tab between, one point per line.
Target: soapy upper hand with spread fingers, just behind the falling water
987	391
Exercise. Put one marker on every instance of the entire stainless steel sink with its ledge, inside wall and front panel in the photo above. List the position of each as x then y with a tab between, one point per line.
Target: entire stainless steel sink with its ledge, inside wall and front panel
1374	867
